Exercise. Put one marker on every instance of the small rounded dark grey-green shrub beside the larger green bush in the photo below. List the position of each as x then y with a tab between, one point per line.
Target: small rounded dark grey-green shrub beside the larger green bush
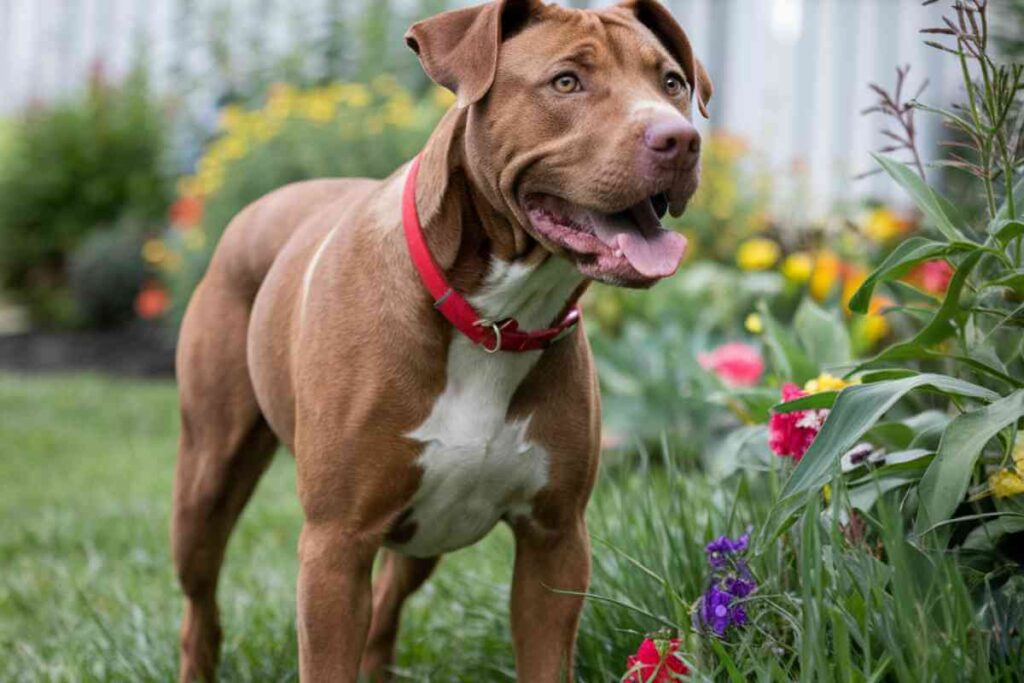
106	274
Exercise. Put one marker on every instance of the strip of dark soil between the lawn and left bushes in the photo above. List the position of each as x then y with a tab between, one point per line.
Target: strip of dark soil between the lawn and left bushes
140	350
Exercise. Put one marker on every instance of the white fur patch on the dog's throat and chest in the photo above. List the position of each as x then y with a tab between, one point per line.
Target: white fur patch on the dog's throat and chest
479	466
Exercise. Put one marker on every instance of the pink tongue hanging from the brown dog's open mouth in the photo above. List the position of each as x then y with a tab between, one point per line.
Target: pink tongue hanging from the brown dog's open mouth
652	250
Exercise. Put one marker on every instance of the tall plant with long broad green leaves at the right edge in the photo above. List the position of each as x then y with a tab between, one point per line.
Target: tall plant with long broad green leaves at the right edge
966	352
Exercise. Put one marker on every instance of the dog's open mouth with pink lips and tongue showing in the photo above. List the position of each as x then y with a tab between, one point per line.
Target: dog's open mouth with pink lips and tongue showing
626	248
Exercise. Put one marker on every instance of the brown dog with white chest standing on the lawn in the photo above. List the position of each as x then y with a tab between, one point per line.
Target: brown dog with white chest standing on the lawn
313	329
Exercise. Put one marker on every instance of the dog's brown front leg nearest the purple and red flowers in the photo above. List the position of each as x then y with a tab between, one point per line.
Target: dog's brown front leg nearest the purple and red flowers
544	621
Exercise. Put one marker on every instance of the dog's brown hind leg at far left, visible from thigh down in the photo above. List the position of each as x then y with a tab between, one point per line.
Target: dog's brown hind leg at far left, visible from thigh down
226	446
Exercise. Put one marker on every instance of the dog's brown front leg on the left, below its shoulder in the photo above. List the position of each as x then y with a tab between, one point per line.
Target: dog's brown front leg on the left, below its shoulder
334	603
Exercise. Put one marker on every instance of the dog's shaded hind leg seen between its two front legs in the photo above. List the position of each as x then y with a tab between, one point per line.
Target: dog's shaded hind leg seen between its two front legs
400	577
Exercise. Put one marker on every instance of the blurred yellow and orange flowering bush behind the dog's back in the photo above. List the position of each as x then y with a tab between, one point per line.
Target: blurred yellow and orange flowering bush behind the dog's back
342	130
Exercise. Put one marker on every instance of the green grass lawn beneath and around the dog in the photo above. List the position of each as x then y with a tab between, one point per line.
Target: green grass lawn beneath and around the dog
88	592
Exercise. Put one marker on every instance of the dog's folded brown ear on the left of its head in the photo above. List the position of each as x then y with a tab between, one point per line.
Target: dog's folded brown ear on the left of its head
459	49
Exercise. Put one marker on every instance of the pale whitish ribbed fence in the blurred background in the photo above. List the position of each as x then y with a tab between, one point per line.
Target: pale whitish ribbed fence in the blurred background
791	76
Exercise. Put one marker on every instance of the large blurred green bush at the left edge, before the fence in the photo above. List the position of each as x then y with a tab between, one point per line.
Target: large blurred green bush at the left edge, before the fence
71	169
